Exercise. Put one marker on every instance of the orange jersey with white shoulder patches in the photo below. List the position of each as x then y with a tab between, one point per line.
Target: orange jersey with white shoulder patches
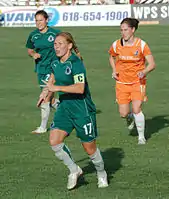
129	59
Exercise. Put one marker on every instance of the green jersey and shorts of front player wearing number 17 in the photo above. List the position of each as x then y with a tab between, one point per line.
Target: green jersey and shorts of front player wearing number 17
75	110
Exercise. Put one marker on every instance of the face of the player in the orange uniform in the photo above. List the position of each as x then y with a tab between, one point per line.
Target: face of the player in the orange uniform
126	31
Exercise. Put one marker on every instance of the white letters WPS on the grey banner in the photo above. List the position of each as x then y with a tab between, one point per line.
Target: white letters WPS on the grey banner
145	12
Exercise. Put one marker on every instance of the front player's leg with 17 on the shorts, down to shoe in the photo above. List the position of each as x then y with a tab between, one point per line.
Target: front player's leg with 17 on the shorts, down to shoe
87	131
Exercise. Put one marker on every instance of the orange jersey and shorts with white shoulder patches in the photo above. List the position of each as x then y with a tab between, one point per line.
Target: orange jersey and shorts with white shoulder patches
129	61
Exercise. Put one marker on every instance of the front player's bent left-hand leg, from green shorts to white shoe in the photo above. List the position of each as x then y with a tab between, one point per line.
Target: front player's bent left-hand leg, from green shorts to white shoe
60	129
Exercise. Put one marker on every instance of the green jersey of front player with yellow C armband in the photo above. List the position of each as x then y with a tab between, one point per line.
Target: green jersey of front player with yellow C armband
70	72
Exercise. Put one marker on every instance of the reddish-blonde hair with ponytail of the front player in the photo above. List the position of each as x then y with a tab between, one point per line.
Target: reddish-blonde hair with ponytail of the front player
70	39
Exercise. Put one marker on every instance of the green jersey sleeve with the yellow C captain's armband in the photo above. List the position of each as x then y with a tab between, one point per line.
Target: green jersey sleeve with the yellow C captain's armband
79	72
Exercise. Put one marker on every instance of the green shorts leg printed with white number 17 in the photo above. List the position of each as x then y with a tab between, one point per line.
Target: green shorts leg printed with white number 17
86	128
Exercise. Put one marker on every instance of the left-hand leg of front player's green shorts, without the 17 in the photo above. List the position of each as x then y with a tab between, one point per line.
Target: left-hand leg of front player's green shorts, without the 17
62	121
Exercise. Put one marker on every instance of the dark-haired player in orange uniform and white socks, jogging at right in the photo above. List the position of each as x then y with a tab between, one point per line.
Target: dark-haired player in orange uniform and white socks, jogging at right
131	61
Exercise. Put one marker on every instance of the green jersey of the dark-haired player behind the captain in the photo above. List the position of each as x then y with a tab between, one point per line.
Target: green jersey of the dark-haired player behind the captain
43	43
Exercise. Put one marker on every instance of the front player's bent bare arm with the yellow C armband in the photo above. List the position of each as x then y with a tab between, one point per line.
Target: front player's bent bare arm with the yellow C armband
77	87
